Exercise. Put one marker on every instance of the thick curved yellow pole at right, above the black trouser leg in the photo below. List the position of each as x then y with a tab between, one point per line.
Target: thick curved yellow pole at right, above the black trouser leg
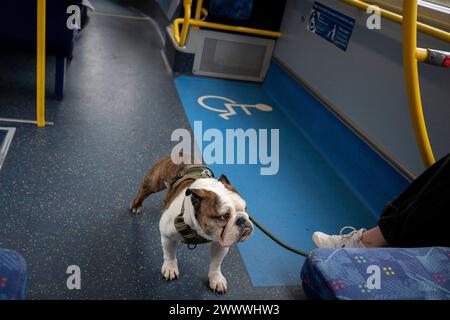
411	72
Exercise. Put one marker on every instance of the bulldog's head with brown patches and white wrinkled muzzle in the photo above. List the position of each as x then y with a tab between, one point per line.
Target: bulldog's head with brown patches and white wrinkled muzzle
220	211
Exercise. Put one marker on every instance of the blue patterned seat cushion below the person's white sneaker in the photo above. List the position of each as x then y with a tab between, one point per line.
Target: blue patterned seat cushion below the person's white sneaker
406	274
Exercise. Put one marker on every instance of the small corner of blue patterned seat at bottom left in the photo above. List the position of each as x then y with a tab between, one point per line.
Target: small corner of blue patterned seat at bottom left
13	276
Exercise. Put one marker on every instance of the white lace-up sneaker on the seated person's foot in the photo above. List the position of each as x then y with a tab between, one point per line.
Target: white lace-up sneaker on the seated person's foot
349	240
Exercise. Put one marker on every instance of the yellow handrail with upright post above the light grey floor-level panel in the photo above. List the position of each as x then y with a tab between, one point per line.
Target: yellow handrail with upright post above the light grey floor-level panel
187	22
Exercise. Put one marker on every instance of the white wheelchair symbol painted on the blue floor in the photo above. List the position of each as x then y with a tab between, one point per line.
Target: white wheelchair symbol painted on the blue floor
227	107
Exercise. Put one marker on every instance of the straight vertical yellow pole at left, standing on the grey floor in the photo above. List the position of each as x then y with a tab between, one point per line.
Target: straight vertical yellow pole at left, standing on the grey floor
40	73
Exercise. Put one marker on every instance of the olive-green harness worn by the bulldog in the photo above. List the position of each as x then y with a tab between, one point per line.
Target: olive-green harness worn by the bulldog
190	172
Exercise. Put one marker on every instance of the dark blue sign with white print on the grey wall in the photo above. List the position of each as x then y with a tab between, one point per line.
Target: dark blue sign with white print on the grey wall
331	25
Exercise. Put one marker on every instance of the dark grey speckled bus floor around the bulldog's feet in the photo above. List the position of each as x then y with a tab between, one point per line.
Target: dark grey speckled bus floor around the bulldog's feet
64	190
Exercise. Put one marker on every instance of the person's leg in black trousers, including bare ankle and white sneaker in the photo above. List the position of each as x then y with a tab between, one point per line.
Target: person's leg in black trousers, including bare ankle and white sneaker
417	218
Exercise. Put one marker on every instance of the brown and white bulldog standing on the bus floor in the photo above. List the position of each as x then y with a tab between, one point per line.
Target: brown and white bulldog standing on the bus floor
197	209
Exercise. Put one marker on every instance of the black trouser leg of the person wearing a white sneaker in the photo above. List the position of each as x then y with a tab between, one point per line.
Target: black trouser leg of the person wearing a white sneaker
420	216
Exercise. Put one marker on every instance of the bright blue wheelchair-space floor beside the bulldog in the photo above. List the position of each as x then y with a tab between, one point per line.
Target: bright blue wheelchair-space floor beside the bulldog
305	195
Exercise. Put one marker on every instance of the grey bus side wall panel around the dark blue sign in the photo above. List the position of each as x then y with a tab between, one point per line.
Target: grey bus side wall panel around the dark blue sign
365	84
